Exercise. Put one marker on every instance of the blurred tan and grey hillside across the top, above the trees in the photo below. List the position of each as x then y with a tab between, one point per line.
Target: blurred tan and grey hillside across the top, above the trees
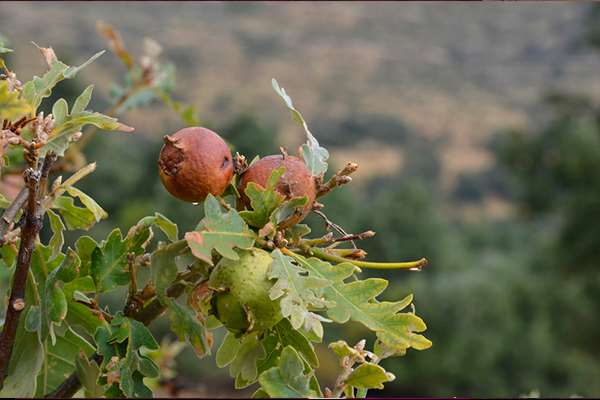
453	71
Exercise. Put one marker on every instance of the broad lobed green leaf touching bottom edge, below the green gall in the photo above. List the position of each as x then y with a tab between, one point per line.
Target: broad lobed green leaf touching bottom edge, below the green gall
287	379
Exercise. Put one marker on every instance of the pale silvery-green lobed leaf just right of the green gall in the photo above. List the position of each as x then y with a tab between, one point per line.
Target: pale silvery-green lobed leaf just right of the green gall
299	292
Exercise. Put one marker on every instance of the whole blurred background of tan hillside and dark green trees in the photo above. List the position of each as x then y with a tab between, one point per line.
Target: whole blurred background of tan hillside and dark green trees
477	132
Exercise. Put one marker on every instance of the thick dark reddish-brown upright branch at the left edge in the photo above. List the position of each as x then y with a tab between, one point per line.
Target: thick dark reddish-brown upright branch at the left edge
35	180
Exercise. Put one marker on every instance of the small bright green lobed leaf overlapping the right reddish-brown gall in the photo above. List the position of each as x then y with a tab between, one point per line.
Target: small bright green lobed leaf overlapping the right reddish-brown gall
263	200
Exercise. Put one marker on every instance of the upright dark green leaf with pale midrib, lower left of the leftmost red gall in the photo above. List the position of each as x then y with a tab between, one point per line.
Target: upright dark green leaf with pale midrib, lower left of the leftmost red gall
109	263
